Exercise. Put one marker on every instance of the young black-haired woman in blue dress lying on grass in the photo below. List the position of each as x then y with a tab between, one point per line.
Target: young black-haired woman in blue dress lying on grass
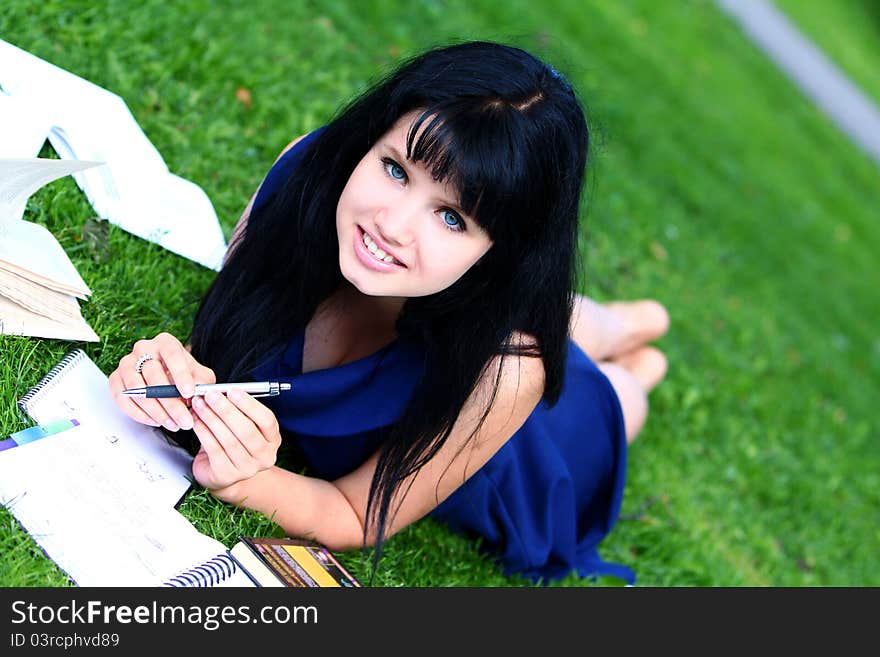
409	268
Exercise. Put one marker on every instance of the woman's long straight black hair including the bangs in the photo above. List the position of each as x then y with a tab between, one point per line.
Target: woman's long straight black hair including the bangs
507	131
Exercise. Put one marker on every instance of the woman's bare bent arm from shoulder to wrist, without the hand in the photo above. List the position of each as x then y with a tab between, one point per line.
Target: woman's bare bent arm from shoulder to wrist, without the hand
333	513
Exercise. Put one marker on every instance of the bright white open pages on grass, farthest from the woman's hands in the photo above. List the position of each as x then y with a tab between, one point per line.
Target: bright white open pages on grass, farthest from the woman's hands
135	189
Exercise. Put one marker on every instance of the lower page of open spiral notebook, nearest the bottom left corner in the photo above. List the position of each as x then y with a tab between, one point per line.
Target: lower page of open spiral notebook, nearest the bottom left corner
96	513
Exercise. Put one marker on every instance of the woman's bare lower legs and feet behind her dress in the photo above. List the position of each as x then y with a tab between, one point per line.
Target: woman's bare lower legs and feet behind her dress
614	335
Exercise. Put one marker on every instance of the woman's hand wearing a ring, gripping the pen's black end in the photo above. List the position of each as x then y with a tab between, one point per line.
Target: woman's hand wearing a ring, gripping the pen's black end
169	363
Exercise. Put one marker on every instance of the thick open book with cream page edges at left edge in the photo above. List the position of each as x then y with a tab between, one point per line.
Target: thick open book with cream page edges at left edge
39	285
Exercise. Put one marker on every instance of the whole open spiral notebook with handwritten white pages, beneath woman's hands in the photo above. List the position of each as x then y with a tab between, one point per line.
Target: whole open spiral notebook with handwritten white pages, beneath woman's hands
99	496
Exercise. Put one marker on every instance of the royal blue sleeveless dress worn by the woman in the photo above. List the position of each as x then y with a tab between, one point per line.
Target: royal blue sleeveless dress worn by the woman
542	503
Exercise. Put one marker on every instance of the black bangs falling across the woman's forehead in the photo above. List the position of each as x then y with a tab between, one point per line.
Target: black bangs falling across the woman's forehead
483	153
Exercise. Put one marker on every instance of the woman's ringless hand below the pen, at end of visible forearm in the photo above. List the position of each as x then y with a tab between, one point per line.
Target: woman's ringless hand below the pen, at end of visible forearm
239	436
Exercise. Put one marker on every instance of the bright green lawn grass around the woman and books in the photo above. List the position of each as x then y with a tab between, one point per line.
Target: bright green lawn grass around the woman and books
716	187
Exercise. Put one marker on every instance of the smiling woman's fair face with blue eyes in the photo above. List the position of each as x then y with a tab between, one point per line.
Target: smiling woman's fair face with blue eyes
401	233
